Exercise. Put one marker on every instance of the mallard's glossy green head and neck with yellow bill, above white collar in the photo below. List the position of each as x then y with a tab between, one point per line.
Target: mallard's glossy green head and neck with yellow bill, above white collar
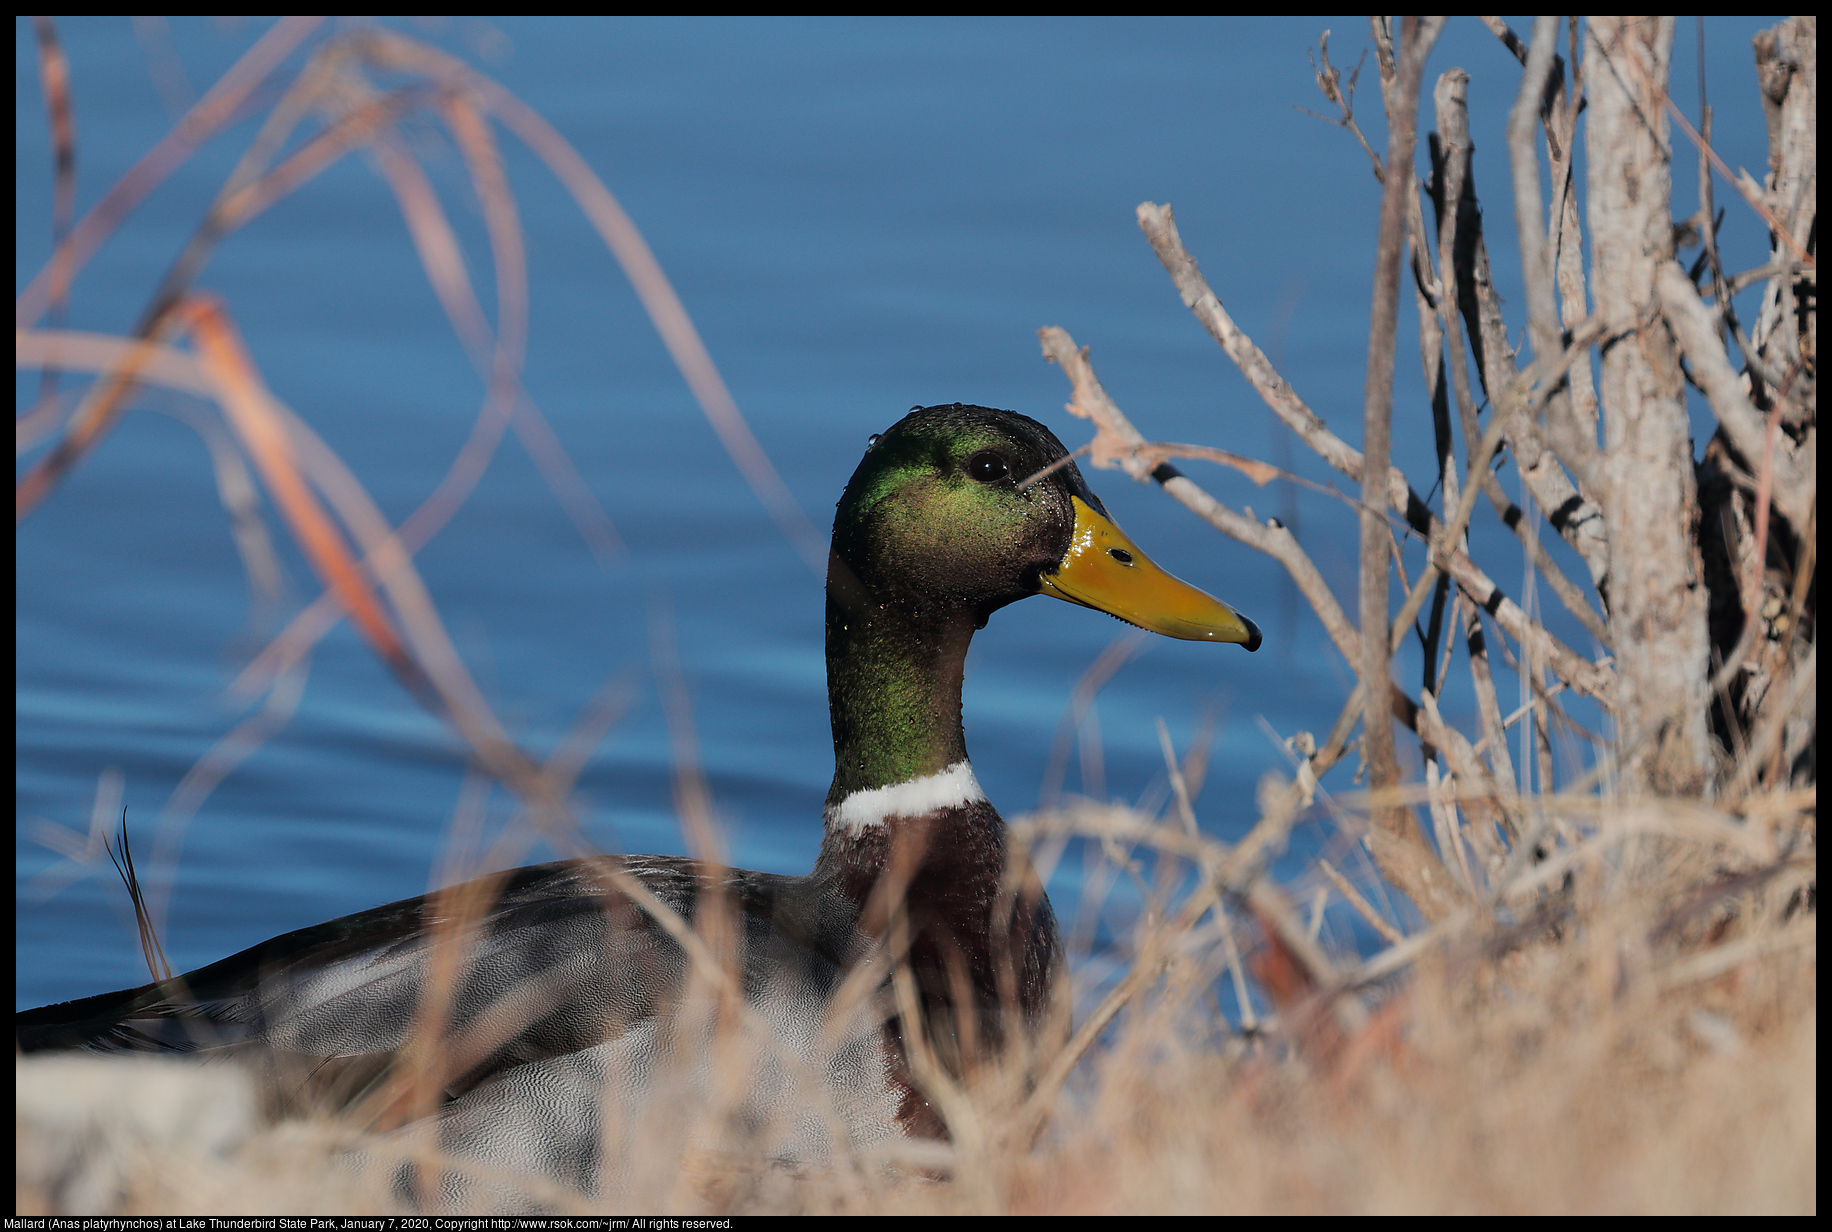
954	514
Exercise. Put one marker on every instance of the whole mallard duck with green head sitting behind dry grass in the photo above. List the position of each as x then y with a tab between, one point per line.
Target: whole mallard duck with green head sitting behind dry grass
571	987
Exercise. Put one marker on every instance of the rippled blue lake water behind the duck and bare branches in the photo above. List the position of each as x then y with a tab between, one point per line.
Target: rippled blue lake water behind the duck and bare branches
860	217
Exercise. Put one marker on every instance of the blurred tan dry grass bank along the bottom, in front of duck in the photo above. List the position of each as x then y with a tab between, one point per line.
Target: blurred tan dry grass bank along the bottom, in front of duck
1637	1039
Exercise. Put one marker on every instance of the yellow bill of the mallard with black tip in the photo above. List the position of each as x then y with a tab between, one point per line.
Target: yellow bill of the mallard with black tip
1106	571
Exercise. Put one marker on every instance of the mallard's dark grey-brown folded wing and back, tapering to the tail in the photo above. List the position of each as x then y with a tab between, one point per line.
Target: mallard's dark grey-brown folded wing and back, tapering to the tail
554	962
